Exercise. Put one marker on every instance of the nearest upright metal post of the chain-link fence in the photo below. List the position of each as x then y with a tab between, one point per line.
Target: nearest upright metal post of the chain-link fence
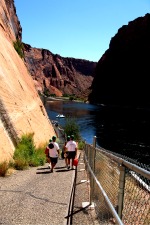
121	190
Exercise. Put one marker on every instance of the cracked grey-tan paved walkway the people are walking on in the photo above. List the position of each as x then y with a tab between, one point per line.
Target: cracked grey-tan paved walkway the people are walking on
36	196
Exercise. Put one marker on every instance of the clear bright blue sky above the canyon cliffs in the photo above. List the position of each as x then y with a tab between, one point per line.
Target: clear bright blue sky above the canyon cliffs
76	28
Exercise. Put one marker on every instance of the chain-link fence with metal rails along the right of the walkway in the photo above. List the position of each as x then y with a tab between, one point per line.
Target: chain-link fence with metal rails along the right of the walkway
119	187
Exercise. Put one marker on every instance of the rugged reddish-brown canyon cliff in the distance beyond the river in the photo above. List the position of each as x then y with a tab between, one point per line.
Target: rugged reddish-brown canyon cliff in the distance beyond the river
59	75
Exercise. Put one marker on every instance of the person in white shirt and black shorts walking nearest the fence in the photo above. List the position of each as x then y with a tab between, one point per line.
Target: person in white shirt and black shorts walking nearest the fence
71	148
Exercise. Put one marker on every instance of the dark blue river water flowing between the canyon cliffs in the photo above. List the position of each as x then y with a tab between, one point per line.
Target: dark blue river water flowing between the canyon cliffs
119	129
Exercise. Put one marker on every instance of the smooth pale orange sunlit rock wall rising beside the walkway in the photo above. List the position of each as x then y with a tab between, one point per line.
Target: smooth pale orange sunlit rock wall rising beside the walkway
21	109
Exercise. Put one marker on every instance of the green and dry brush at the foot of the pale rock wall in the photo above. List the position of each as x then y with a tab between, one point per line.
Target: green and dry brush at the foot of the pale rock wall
26	155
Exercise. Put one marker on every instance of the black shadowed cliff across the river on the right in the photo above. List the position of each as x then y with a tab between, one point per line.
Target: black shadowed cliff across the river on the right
122	74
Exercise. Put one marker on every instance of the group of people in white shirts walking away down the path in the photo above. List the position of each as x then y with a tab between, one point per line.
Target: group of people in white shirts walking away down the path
53	152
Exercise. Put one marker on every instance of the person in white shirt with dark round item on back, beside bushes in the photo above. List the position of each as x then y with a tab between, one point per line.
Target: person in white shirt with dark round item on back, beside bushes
53	153
